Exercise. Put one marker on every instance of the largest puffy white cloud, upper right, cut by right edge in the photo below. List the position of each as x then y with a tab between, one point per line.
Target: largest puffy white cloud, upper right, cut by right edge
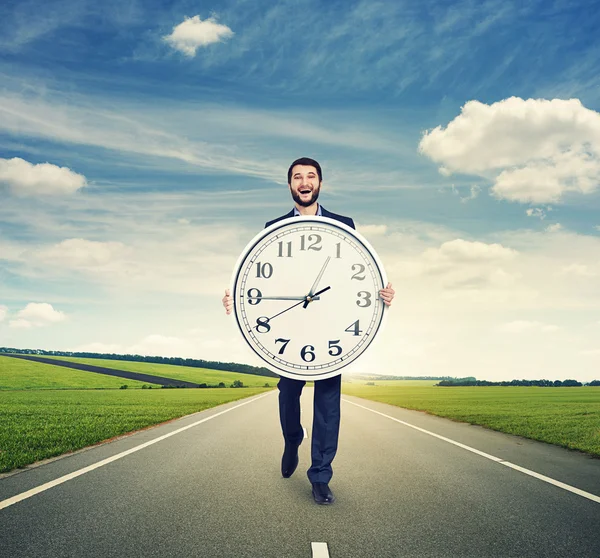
535	150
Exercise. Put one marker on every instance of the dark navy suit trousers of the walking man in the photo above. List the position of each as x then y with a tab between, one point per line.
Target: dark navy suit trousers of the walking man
326	422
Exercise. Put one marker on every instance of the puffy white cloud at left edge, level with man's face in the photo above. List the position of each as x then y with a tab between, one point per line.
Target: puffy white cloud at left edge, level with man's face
27	179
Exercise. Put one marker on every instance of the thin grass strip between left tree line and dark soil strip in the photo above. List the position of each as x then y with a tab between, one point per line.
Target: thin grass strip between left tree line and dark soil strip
186	373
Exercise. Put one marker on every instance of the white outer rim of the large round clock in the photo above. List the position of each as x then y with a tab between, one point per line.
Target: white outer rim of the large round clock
297	220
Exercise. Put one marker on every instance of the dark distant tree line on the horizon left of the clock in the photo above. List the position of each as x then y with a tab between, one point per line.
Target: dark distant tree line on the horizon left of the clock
196	363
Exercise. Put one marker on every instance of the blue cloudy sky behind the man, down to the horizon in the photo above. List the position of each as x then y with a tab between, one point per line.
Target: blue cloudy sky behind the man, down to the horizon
142	144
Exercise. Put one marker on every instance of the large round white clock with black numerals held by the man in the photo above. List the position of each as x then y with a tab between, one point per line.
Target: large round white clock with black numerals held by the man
274	282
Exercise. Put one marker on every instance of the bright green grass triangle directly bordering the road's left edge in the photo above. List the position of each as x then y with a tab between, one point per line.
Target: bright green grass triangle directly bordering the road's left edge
40	424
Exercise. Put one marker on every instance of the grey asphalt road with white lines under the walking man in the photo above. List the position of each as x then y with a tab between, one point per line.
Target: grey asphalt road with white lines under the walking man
215	490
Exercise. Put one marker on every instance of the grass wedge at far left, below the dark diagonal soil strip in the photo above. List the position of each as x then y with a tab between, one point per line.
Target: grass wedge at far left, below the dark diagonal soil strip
25	374
